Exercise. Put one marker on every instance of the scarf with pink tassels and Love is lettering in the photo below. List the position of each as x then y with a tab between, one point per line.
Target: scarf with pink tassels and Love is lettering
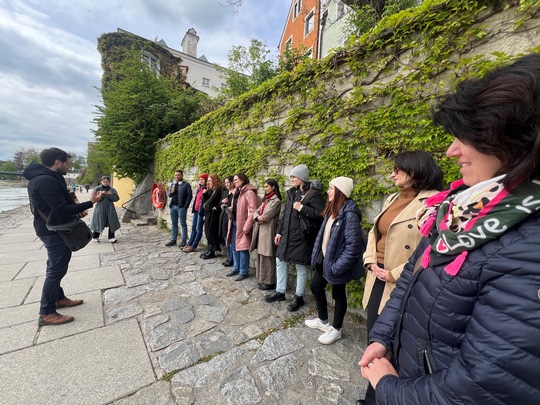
465	219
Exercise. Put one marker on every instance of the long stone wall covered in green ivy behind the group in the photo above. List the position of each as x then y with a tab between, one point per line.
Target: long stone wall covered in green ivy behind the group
347	114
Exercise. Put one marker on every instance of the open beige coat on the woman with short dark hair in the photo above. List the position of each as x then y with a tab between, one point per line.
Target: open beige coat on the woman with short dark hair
402	239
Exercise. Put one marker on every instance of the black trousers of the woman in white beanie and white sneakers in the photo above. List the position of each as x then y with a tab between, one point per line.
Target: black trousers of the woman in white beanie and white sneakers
318	284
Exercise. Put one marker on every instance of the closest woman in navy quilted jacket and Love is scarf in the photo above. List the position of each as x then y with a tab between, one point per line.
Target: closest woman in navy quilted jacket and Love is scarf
461	326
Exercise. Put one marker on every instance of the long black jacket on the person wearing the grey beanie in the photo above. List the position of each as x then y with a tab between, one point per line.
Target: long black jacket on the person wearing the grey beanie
294	247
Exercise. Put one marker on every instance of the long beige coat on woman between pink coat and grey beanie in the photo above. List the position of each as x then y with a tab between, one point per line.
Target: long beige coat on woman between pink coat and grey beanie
264	233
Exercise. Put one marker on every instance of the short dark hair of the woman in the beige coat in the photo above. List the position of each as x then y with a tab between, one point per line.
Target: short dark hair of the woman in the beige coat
421	167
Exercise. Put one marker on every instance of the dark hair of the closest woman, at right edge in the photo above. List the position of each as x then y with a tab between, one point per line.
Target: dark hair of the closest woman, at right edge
499	115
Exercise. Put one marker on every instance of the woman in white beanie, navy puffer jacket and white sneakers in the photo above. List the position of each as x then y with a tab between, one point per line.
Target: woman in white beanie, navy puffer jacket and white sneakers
336	257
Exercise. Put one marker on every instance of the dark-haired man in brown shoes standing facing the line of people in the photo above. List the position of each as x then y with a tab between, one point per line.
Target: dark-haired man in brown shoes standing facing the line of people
48	193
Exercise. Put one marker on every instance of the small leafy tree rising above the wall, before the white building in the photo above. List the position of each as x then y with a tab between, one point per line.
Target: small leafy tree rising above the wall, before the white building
248	69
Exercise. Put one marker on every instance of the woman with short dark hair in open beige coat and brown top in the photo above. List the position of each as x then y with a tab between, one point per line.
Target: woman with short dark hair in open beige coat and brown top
395	235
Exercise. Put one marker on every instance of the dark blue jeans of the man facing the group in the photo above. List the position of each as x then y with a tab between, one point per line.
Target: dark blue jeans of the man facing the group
58	257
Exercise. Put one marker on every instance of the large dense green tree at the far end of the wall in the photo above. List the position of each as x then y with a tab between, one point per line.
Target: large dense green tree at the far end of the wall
139	108
